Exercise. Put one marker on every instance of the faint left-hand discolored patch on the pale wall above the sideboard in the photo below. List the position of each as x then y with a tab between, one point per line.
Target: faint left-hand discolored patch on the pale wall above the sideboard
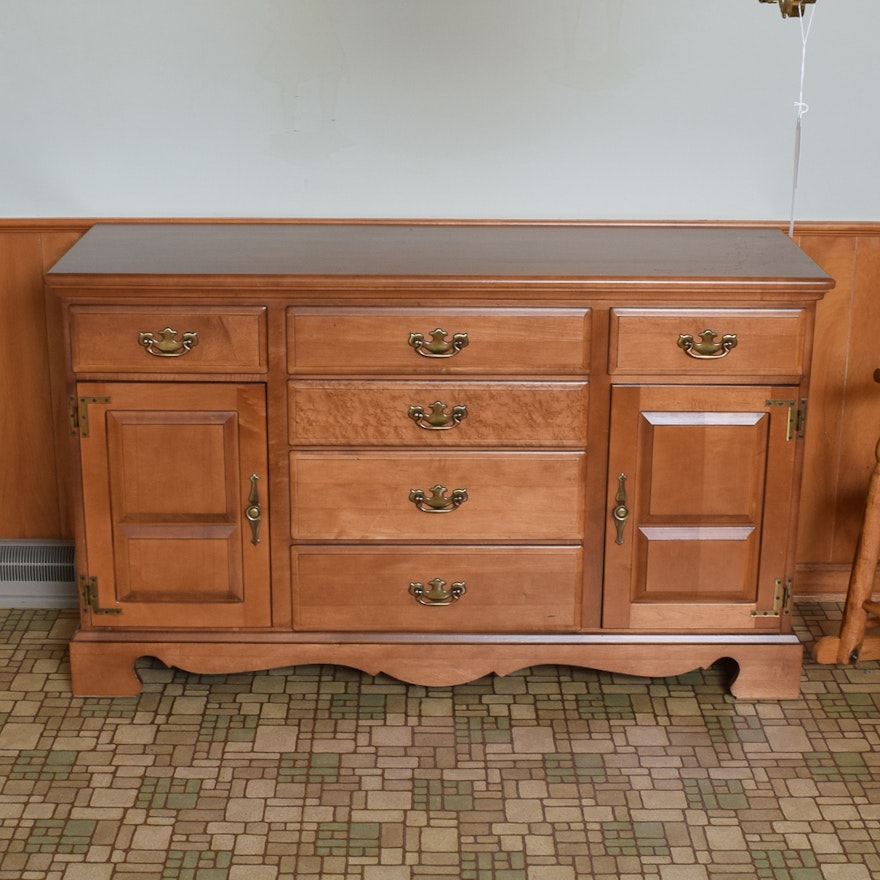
307	61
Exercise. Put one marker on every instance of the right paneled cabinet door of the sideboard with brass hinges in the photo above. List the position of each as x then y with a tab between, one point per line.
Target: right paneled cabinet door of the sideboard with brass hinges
700	502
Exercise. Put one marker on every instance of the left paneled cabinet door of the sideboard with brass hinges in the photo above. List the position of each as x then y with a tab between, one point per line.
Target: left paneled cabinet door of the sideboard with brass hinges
174	505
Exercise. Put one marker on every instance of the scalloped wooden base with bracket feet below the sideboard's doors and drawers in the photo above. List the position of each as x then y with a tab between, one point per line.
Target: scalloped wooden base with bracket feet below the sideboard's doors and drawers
769	666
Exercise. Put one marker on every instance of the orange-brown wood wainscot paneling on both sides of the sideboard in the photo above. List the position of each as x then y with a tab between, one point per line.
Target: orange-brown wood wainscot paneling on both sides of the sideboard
843	424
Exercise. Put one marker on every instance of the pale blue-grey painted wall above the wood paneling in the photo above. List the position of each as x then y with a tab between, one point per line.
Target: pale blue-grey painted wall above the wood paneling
599	109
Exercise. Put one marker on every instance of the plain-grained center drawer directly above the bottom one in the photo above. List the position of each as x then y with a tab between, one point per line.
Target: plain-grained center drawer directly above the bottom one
464	497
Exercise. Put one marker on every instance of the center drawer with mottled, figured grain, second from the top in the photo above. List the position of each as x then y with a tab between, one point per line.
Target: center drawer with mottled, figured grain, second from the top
438	414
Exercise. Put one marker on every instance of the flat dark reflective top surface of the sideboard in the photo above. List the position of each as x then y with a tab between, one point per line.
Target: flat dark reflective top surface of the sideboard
460	250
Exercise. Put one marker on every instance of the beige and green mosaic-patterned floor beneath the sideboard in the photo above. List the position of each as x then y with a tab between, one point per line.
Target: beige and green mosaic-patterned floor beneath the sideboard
326	774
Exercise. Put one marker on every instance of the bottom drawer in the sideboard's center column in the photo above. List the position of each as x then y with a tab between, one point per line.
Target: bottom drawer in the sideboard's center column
457	589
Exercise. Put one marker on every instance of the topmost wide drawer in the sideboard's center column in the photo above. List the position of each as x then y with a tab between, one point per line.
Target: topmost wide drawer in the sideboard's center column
437	341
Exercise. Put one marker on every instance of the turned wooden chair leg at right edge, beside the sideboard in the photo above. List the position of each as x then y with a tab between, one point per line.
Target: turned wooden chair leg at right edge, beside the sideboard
860	614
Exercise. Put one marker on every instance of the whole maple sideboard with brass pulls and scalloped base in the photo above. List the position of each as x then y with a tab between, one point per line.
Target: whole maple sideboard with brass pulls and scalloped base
436	450
